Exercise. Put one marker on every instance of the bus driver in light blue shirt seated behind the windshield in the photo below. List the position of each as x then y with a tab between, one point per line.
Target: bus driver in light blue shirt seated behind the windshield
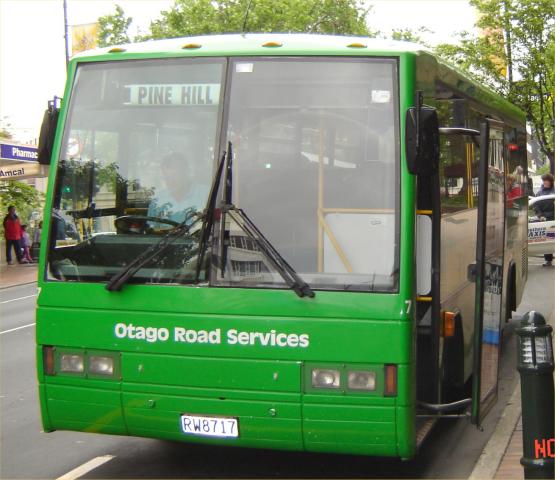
182	194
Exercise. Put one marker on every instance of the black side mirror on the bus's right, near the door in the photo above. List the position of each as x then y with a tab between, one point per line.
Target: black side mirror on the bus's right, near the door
422	140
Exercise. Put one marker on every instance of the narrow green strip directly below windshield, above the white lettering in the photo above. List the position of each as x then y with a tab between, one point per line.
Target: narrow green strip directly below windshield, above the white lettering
223	301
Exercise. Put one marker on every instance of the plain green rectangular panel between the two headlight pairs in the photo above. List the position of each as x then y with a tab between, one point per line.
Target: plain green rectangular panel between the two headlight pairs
212	372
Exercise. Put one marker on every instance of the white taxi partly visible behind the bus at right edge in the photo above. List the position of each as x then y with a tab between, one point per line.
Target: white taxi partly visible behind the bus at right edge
541	228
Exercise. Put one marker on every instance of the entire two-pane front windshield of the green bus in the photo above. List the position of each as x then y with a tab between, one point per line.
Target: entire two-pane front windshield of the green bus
315	166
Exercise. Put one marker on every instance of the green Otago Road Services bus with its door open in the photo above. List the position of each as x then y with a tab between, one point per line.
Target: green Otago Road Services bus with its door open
276	241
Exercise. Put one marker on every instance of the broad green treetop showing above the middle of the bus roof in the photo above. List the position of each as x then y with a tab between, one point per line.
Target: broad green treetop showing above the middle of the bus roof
197	17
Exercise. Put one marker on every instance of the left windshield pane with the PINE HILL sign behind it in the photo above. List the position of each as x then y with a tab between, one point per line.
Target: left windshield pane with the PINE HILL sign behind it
136	160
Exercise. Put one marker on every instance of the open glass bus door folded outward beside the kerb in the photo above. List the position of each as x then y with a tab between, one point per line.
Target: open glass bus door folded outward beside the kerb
489	269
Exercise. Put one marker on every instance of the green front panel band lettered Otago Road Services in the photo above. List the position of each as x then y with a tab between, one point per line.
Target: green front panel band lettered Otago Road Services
330	340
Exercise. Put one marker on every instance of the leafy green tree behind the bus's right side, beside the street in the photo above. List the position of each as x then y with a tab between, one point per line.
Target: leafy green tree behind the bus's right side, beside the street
514	56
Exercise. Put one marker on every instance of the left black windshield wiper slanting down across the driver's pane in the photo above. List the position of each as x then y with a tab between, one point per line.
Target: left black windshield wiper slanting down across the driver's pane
117	281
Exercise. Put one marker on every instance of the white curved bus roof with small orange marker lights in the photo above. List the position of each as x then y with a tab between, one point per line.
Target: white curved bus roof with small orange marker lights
283	44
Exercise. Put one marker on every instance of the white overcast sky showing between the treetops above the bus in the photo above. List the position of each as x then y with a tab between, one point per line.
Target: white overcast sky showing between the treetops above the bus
32	52
